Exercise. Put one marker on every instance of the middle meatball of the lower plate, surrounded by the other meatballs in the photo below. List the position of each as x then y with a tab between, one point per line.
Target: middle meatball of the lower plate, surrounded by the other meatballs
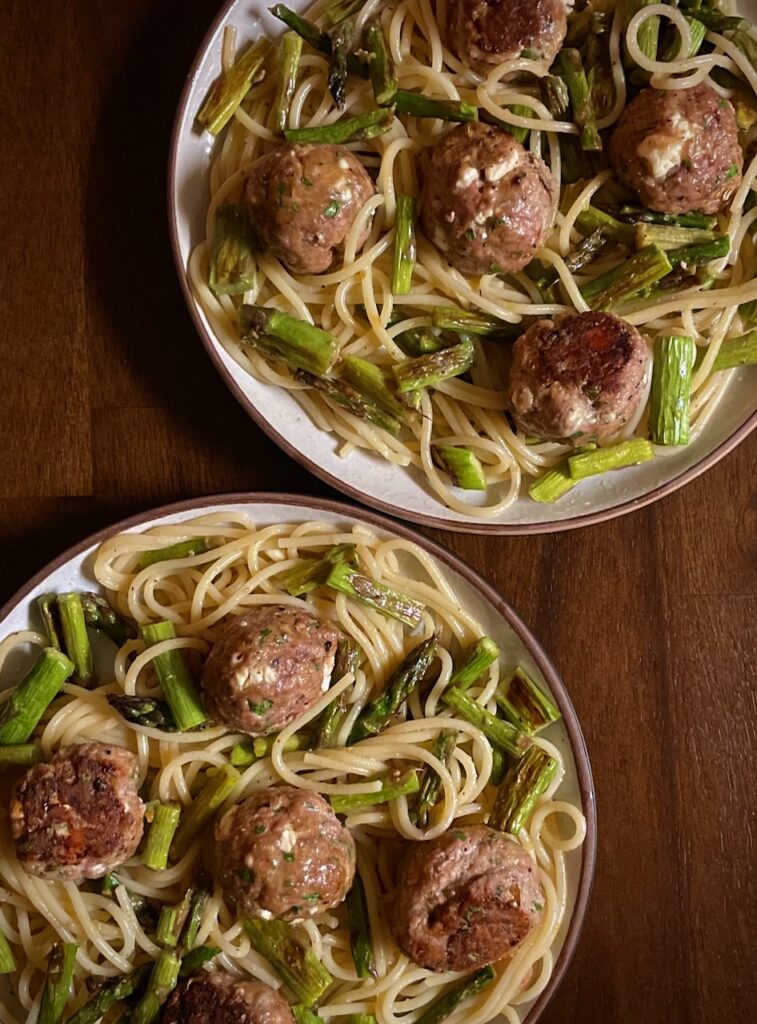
284	854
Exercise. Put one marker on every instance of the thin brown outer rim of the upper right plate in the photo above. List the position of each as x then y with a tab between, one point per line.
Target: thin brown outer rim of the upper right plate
211	345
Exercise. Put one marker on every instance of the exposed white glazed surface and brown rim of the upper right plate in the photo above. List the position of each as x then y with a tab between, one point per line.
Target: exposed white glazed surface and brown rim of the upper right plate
367	478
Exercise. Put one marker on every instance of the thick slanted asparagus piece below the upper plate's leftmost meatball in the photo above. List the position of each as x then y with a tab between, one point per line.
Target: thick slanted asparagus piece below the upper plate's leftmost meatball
298	343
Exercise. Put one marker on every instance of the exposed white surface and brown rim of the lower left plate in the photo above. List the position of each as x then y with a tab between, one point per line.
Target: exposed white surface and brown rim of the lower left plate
73	571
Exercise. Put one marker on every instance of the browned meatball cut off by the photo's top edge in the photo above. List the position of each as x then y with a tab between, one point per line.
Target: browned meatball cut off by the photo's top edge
493	31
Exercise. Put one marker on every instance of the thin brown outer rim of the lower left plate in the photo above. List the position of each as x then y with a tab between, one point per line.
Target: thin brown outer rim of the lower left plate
474	579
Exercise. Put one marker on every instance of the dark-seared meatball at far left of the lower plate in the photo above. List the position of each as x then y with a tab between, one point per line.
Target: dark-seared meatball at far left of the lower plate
78	817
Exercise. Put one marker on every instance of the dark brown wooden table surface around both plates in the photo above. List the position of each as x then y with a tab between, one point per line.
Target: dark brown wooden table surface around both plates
110	406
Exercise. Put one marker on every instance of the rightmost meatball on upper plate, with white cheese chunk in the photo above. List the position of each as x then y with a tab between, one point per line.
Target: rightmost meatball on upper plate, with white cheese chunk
680	150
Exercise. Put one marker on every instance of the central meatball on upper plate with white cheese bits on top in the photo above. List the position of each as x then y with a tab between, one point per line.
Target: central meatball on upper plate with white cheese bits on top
488	203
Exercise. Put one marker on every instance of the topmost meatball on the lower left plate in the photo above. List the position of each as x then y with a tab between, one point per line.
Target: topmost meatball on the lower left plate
268	668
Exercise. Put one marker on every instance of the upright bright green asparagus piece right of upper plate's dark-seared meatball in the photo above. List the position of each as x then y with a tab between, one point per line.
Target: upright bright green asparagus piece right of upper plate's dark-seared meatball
671	383
